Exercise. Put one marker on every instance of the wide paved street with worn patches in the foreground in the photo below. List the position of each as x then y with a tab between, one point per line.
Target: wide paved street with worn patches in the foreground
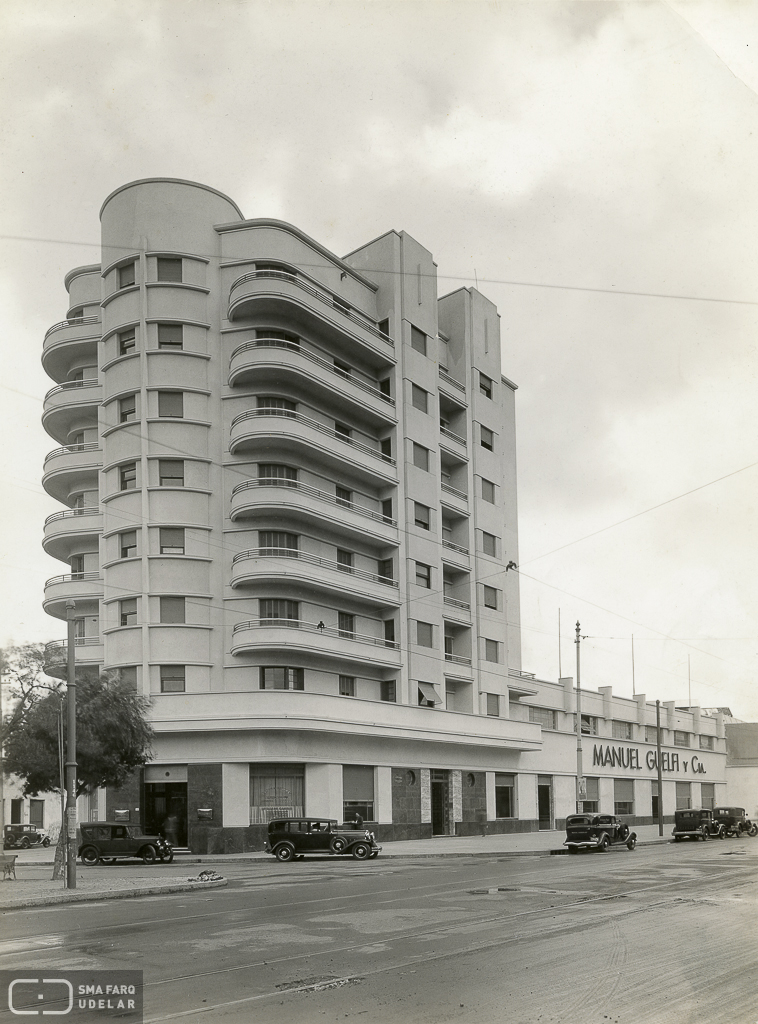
664	934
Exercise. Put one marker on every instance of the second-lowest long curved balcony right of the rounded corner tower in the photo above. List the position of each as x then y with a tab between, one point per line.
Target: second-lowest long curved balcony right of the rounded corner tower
292	566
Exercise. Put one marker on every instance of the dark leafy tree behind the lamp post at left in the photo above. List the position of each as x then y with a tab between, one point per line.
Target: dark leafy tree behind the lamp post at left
114	738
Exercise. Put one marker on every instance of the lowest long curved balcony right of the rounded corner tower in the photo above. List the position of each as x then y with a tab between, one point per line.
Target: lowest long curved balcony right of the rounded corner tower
298	638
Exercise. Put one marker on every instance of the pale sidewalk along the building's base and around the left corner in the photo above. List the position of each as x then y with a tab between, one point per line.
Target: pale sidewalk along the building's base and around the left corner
44	892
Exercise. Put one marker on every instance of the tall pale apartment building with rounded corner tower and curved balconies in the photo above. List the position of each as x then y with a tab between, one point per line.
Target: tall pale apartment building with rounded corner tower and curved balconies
290	497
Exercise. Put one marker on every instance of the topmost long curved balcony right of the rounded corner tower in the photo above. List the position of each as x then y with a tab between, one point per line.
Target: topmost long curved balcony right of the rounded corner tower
301	300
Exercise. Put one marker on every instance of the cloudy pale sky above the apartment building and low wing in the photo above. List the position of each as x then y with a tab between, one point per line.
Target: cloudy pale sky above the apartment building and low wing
592	167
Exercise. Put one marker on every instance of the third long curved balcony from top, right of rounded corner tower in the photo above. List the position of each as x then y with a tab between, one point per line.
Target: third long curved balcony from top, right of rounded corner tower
267	429
